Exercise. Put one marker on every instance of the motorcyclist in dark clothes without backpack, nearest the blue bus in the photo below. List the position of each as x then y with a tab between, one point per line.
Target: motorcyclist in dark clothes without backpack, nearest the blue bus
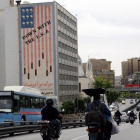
51	114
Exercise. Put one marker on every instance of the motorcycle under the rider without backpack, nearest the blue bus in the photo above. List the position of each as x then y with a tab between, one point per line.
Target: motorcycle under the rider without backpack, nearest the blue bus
47	130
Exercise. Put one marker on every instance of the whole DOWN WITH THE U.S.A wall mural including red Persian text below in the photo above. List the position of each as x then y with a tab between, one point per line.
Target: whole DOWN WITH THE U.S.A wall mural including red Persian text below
38	68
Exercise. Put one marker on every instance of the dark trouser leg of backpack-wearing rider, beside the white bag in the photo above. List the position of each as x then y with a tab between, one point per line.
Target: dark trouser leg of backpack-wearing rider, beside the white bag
108	129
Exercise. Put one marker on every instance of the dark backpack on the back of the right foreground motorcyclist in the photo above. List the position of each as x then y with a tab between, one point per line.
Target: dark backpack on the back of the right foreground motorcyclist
95	115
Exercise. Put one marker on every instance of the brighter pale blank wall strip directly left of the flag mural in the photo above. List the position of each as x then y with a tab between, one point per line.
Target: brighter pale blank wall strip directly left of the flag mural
11	46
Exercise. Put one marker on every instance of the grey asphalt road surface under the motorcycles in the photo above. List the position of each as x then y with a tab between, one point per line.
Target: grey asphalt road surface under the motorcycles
127	132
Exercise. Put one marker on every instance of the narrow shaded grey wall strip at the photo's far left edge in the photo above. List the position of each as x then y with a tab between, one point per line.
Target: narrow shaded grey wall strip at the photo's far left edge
2	50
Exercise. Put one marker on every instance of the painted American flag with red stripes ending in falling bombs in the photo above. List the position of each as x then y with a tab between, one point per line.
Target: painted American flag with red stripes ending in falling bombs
36	36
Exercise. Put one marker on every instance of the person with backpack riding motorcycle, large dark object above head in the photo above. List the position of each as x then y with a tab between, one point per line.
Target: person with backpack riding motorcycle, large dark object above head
105	111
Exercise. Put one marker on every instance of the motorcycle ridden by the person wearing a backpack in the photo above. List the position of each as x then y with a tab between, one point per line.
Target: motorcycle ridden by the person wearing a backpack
95	131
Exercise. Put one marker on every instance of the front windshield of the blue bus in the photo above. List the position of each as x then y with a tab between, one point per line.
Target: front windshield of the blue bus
5	105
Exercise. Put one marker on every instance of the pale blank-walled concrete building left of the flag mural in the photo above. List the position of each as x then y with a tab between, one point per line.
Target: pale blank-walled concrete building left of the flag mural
9	45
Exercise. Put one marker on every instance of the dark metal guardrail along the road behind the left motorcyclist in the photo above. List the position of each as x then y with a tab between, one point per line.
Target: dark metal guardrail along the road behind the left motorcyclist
14	127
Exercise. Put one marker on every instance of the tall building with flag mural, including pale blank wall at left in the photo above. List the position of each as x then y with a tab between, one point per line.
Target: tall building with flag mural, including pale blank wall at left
40	49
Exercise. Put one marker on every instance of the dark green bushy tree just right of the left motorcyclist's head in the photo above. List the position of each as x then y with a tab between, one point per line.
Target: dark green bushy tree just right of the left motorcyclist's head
68	106
